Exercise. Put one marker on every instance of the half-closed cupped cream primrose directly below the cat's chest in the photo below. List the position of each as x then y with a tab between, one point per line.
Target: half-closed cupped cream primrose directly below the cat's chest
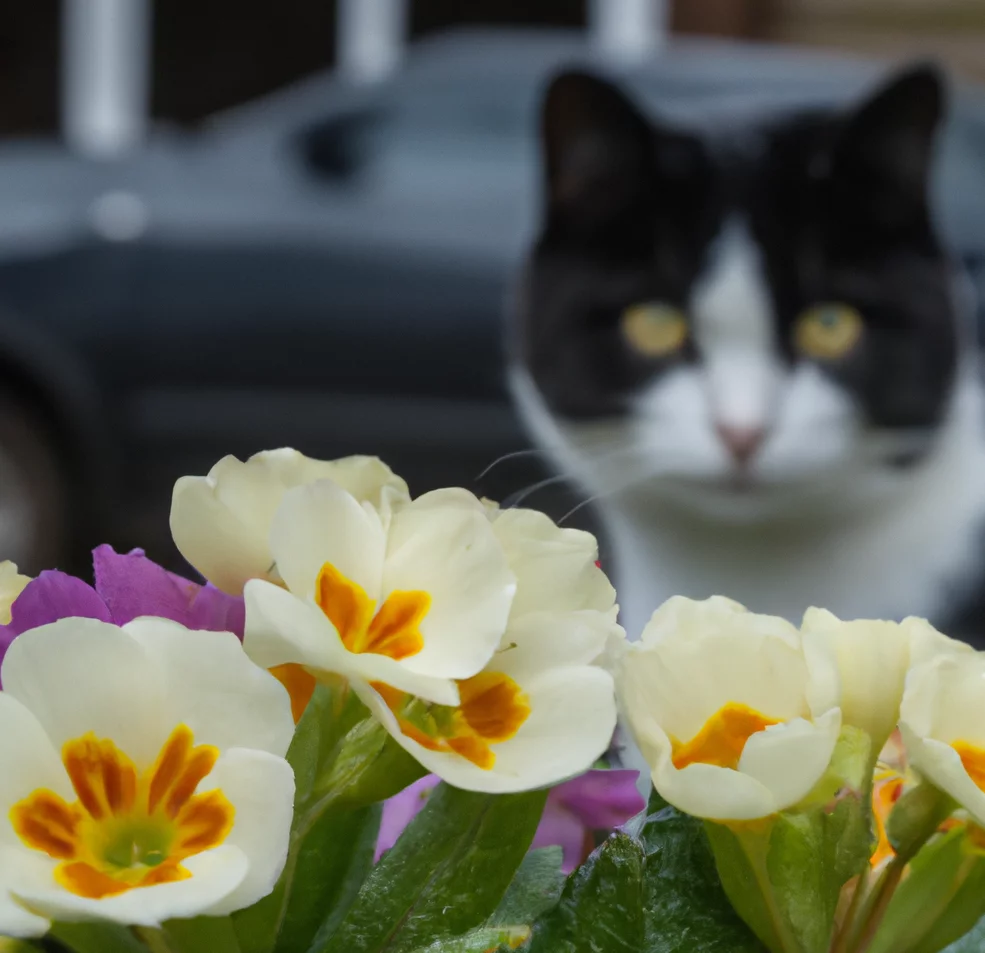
718	700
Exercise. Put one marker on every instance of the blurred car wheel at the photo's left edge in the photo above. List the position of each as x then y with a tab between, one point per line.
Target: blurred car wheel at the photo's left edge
34	511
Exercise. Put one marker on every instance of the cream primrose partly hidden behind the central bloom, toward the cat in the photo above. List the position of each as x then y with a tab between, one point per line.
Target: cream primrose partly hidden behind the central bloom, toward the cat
542	709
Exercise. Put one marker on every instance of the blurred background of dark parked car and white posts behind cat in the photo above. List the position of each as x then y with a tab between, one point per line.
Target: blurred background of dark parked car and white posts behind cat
232	226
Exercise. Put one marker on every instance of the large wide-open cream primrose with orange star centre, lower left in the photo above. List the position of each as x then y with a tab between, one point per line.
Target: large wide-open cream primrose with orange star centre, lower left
143	775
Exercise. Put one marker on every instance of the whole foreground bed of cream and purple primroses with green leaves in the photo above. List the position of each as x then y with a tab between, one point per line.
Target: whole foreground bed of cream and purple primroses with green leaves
350	734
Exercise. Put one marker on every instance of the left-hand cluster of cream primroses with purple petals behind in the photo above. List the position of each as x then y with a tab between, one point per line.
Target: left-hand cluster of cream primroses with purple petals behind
147	720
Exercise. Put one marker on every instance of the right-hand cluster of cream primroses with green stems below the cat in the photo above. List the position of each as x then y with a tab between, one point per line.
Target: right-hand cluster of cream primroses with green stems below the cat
751	724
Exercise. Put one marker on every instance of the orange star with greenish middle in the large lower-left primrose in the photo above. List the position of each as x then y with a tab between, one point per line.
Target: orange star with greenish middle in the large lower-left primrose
127	829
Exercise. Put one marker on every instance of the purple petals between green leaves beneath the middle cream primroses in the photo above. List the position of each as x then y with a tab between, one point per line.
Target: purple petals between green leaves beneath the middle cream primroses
596	801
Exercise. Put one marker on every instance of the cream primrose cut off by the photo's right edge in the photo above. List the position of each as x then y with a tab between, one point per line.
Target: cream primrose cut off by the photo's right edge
942	721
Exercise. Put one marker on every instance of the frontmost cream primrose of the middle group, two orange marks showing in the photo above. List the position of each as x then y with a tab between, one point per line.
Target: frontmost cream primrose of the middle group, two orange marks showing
413	601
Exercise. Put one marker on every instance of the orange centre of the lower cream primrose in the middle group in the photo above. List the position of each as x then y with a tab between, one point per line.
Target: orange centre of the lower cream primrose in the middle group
492	709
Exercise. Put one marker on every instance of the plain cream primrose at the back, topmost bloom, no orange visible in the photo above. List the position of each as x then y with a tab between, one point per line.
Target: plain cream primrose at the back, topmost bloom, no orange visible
221	522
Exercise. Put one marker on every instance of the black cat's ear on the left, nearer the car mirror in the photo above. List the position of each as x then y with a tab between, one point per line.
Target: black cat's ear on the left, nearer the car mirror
594	140
